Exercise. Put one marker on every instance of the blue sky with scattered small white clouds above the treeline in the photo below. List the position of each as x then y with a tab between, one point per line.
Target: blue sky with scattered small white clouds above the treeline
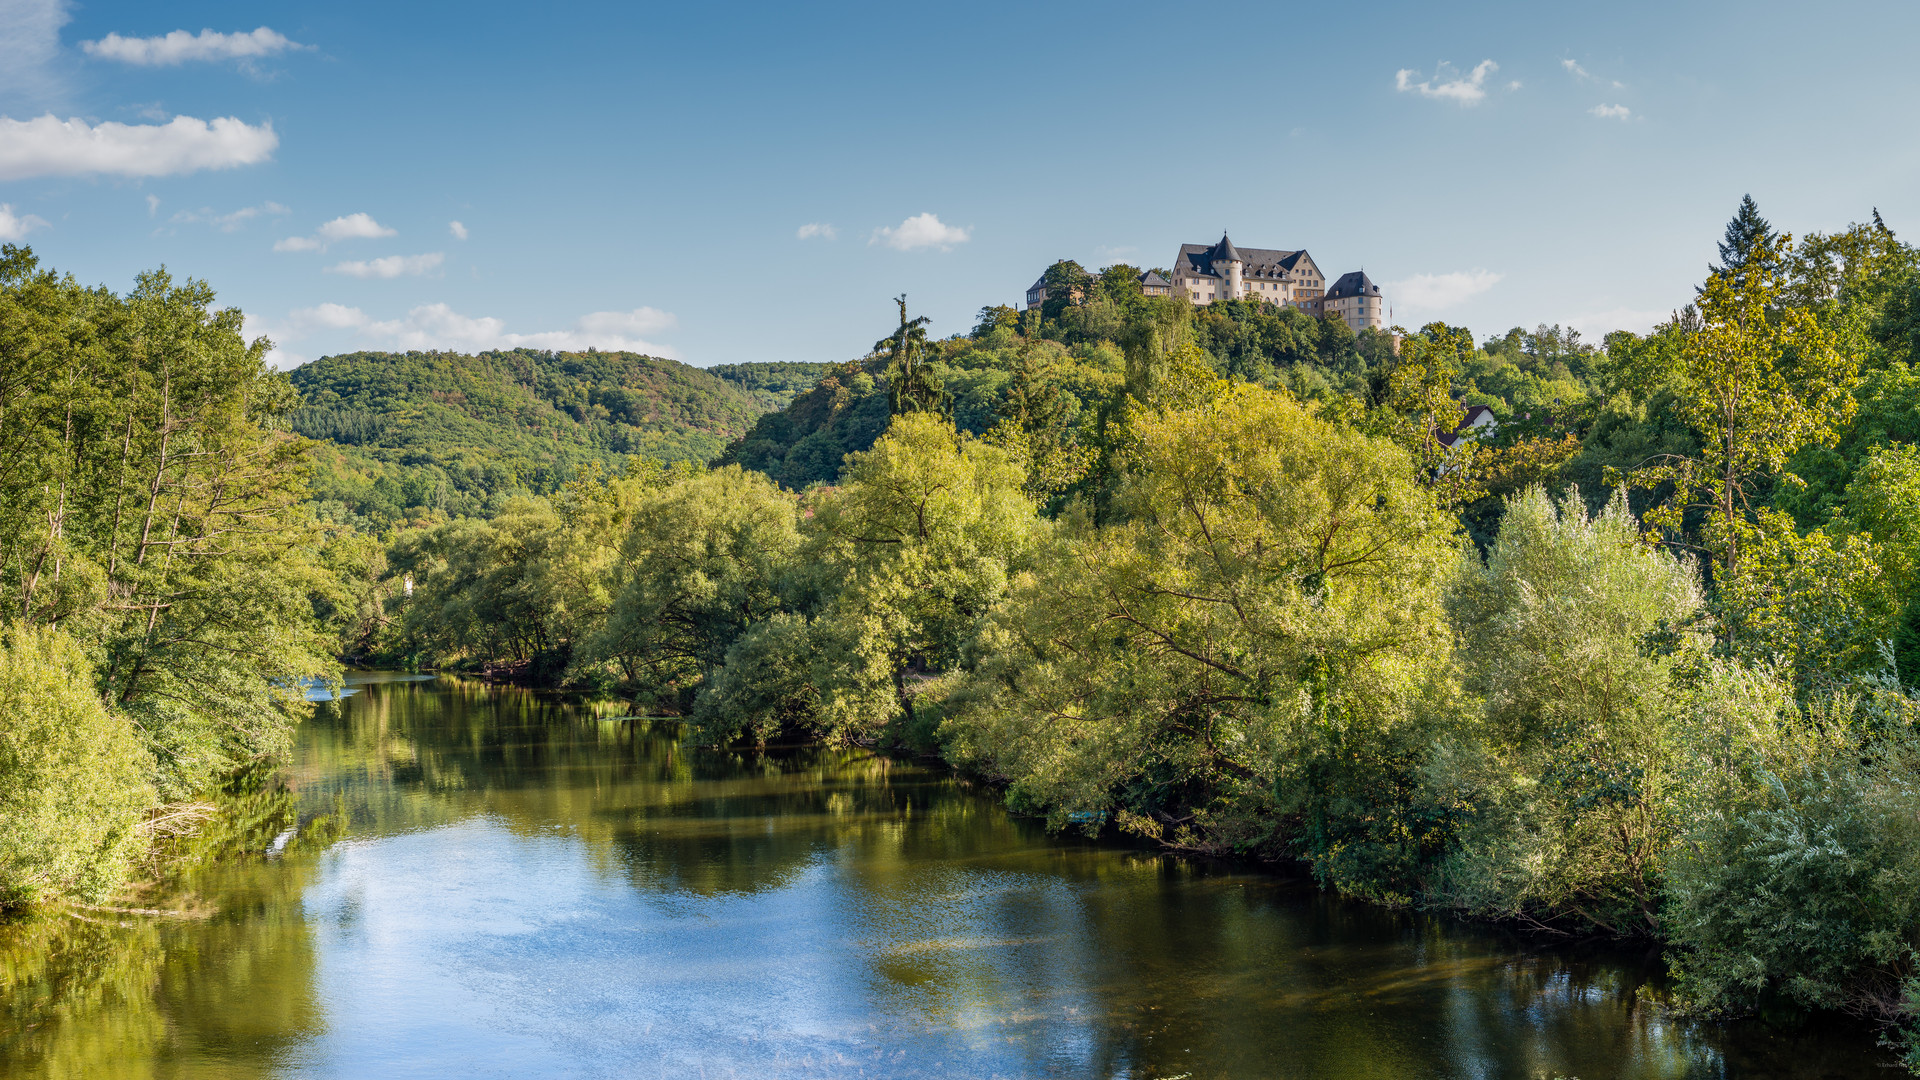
642	176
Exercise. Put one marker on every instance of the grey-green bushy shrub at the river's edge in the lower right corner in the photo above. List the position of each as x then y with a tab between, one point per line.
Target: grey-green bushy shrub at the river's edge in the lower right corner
1800	879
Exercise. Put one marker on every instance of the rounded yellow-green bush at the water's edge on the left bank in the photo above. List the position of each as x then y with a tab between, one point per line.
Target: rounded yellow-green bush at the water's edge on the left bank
74	777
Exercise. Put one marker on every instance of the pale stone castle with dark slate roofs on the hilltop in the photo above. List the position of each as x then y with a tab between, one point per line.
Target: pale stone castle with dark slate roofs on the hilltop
1205	274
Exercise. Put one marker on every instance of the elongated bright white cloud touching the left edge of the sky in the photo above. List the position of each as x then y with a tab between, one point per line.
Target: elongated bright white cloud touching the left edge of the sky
49	147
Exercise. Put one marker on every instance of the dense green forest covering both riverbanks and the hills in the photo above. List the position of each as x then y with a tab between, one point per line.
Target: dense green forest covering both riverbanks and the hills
1635	662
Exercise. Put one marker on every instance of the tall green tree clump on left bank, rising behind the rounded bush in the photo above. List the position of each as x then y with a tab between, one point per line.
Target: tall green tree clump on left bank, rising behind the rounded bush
153	510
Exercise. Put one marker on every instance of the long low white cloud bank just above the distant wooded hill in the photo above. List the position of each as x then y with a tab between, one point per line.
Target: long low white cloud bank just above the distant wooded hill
439	326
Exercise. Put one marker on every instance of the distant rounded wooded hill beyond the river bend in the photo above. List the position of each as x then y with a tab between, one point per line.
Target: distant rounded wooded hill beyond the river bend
437	431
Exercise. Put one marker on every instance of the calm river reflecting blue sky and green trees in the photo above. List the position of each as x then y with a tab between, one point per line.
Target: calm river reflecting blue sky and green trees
492	883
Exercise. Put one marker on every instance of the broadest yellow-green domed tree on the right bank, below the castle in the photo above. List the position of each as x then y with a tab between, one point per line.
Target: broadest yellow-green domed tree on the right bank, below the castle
1234	652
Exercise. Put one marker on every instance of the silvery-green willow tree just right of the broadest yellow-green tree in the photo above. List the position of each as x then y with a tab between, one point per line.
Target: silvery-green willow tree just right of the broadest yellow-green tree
1575	766
